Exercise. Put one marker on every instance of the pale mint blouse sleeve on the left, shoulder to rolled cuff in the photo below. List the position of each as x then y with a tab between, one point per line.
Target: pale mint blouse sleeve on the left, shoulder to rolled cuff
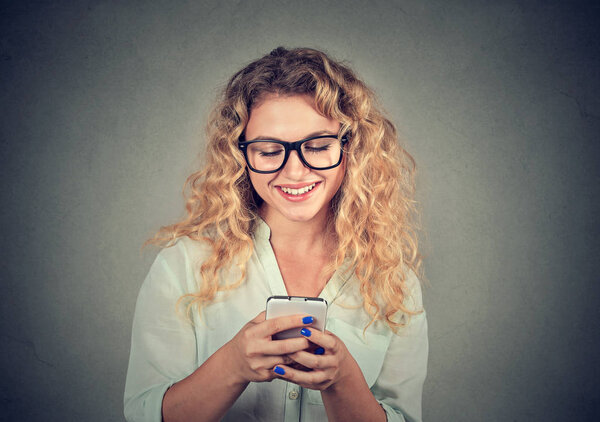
163	343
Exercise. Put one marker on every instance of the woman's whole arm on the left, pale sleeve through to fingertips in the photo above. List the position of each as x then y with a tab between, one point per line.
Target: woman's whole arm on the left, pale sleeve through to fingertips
164	379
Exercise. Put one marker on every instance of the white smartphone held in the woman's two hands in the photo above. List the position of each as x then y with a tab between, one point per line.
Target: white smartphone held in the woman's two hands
291	305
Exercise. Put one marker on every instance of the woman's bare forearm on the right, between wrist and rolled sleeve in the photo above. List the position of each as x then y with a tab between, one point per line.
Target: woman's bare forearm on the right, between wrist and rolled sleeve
351	400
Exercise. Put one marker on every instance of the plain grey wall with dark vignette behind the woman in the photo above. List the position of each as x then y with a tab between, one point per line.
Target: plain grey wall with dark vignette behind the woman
103	107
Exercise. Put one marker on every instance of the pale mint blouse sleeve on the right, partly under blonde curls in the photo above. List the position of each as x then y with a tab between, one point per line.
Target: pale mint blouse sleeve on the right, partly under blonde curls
399	386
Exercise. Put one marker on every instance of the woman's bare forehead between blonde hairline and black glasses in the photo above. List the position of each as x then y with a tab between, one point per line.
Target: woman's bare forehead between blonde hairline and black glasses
287	117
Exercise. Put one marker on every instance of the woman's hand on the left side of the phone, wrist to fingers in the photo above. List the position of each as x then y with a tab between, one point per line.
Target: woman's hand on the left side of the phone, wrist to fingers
253	354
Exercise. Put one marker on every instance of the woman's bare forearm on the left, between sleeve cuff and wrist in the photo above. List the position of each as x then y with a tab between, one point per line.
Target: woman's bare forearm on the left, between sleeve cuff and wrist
206	394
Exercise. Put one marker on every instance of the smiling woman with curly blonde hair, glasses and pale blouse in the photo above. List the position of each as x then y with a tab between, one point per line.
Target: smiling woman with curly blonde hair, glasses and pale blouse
306	192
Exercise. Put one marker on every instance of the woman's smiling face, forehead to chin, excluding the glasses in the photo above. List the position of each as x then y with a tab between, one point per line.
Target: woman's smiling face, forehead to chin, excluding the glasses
289	119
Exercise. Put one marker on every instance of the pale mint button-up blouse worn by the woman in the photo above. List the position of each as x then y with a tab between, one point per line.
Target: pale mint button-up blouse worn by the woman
165	348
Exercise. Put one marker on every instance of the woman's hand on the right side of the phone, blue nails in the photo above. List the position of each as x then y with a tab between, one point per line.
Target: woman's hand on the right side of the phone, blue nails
330	362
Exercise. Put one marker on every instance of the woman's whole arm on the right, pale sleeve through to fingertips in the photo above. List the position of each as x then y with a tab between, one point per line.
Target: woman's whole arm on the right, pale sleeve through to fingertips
396	393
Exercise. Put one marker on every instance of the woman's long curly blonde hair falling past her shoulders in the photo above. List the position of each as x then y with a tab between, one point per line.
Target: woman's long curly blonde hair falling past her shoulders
373	213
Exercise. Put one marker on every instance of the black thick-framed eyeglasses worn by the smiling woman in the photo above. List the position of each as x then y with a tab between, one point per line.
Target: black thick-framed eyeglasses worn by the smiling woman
317	152
